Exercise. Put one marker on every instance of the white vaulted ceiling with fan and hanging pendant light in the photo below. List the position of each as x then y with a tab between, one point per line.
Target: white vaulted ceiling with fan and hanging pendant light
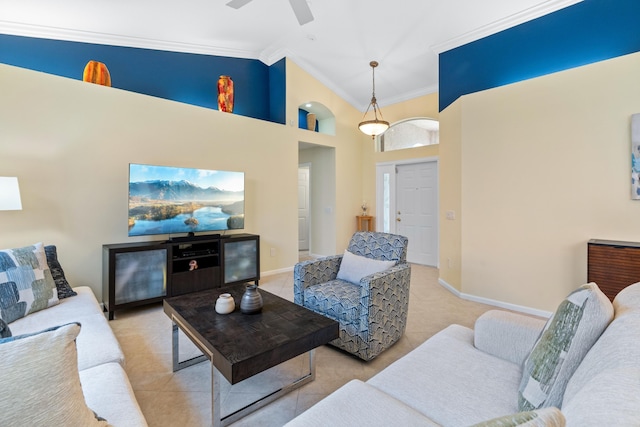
404	36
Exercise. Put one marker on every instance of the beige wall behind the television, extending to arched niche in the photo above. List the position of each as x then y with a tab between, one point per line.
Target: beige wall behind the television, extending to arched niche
70	144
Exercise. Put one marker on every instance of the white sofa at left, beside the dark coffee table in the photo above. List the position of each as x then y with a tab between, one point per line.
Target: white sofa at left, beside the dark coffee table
105	385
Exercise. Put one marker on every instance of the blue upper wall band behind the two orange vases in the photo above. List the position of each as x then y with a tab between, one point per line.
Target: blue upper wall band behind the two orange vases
183	77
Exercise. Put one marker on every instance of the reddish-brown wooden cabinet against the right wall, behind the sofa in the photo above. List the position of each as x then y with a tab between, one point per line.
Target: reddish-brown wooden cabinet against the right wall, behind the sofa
613	265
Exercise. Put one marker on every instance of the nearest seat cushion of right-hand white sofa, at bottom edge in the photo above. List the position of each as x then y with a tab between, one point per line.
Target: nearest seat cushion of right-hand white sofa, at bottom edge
359	404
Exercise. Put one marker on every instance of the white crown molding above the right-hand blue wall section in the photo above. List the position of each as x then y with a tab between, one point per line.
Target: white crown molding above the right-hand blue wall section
503	24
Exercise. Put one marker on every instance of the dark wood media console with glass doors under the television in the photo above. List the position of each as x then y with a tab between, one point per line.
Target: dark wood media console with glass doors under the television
146	272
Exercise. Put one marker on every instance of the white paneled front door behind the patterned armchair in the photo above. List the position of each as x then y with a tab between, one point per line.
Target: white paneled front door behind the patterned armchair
417	210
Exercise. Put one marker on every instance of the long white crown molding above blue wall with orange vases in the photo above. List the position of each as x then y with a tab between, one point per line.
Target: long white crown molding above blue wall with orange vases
64	34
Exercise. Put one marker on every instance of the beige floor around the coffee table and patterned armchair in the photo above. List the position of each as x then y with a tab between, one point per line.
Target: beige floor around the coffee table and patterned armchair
183	398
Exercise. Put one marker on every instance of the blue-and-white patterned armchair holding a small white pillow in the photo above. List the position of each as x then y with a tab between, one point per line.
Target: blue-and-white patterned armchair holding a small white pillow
373	313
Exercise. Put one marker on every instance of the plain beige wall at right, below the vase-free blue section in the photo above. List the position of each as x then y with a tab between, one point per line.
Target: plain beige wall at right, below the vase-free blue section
544	166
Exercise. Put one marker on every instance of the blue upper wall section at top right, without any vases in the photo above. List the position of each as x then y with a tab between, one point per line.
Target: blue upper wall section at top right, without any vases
587	32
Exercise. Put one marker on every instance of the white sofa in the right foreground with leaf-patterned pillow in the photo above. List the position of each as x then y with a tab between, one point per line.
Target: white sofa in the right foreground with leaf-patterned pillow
463	377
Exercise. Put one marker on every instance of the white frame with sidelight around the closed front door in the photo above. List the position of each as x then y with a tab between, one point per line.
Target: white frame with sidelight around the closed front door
391	167
